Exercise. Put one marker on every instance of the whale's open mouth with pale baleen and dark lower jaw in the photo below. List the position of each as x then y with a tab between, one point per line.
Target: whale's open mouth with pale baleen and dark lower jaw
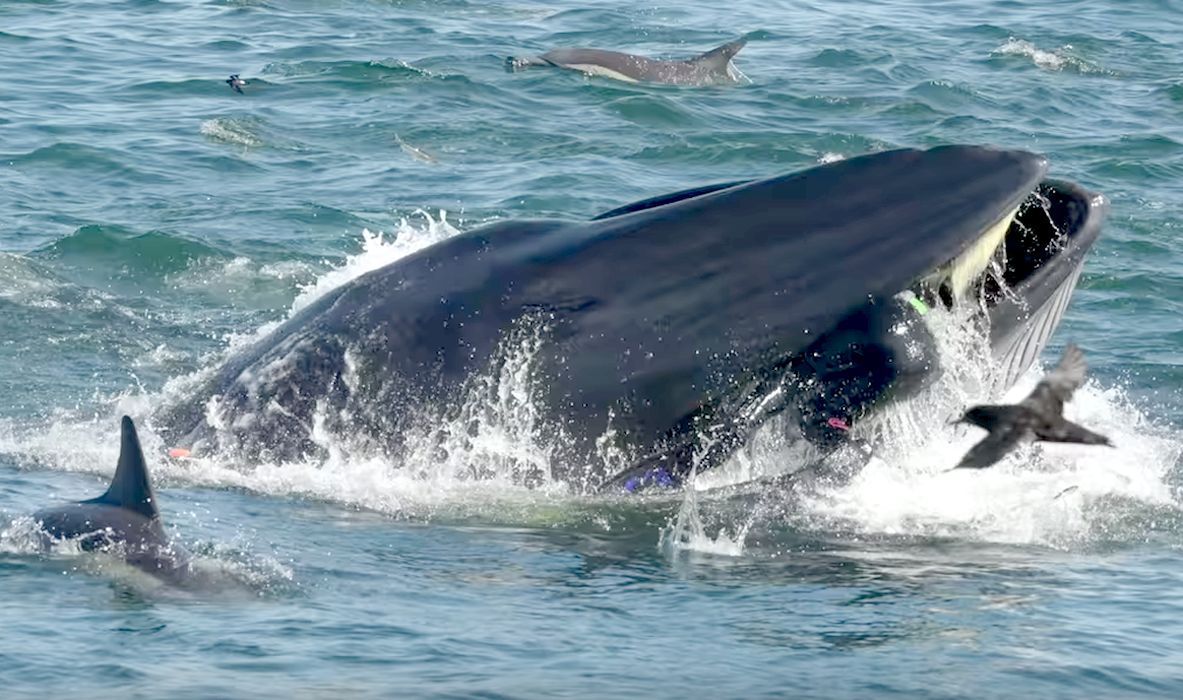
1018	276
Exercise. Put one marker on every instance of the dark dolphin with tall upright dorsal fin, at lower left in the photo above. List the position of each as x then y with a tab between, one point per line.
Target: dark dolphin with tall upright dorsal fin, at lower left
126	518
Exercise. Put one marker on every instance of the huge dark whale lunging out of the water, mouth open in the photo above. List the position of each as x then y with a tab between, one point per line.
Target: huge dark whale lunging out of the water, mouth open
658	338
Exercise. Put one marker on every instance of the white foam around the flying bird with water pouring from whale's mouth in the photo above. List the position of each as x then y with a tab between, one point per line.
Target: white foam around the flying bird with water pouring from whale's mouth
909	489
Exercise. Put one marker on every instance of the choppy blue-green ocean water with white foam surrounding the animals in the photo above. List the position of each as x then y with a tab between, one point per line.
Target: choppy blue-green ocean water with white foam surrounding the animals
152	219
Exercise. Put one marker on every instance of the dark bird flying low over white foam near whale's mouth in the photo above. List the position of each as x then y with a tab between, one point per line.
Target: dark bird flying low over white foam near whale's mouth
1040	417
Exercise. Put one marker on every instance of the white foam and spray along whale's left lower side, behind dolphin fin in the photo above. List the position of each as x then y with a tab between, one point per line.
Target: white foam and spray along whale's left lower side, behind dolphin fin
493	450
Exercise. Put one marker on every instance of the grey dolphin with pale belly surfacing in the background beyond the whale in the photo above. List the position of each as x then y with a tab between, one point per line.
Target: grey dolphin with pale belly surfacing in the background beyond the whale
708	69
